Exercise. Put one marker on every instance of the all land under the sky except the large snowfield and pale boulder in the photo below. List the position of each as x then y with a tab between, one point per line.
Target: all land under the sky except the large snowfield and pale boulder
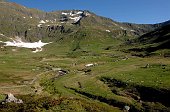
93	64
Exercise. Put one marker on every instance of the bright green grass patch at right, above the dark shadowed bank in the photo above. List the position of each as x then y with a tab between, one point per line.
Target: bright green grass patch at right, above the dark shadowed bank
156	75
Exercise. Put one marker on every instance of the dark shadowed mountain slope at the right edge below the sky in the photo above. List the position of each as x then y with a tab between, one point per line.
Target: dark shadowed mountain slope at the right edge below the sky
154	41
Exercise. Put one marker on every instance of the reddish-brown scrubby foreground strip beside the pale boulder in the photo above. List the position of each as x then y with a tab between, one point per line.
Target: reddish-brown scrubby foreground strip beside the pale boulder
66	104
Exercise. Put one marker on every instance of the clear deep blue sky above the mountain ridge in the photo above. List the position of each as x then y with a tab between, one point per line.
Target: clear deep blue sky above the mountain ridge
133	11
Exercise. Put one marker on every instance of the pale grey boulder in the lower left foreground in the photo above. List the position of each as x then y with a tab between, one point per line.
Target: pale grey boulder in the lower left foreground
10	98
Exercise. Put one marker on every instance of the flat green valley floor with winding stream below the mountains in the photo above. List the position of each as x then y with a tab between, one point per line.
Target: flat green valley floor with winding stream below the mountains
110	81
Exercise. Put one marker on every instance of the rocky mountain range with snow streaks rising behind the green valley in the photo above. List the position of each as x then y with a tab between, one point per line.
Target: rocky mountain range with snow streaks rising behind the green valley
76	28
